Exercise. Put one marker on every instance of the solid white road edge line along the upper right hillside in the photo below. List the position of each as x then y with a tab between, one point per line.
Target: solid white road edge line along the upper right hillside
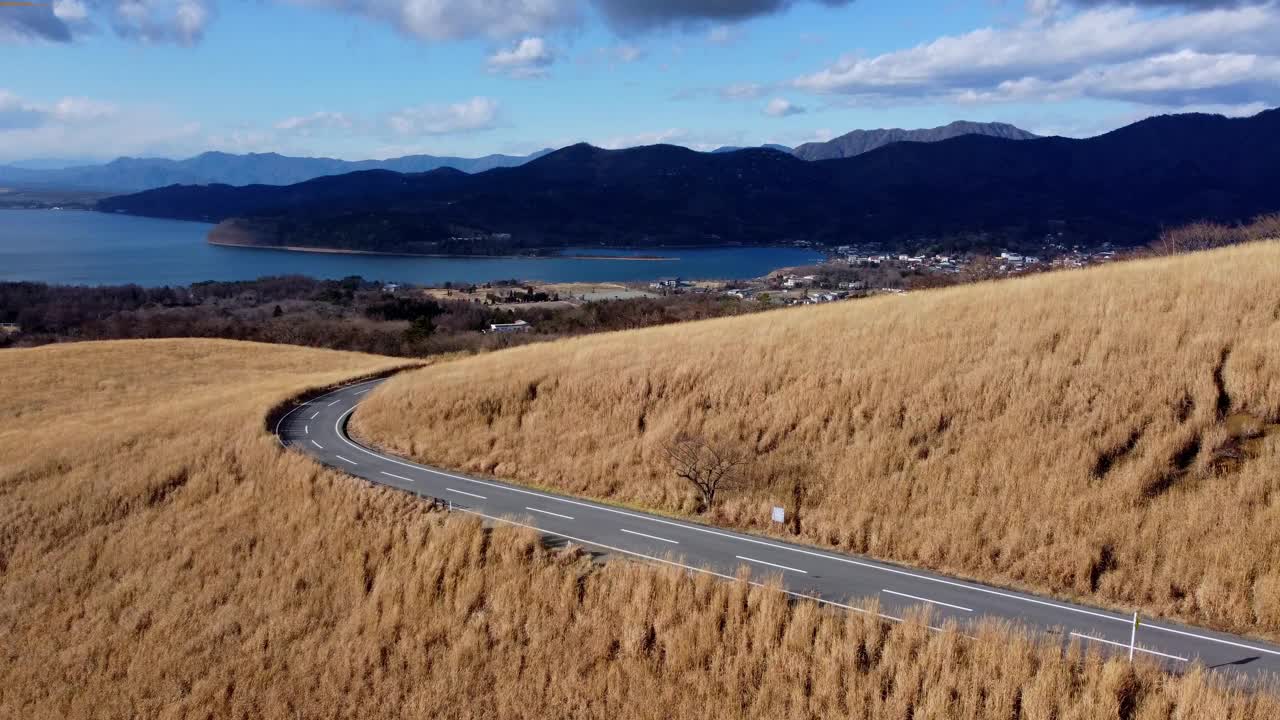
802	552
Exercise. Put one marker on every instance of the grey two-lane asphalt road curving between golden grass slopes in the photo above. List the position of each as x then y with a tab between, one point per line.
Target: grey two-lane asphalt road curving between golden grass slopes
319	430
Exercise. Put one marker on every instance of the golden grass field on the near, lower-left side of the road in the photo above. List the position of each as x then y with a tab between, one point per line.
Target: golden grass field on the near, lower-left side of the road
161	557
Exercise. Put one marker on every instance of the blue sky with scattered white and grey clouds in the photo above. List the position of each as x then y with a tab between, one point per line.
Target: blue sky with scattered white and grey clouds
377	79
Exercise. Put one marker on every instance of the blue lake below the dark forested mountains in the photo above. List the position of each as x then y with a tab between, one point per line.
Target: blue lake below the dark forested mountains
84	248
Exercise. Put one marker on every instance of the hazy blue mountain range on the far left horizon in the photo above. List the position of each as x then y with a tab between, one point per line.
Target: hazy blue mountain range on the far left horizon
131	175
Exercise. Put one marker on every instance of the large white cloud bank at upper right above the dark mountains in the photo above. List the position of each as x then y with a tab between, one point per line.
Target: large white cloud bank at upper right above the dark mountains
1110	53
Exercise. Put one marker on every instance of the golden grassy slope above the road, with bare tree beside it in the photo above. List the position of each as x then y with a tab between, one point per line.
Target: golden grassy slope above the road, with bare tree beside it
1107	434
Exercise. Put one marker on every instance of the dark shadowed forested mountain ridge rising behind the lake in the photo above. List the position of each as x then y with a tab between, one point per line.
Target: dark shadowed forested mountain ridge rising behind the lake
1119	188
